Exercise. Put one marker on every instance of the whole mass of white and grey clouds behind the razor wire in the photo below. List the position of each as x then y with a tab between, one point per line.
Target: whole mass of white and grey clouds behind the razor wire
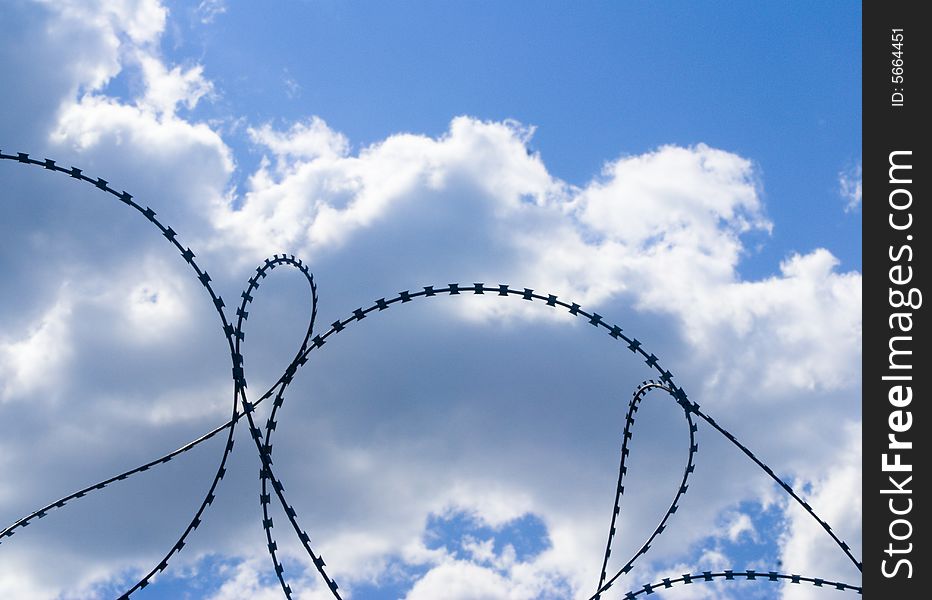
416	412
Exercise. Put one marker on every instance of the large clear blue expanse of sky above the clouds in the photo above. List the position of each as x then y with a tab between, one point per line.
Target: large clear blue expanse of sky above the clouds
775	82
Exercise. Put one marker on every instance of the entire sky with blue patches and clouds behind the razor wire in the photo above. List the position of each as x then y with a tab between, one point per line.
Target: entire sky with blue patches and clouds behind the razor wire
690	171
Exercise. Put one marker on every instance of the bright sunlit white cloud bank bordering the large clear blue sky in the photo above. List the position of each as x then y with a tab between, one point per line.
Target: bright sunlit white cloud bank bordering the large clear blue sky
671	244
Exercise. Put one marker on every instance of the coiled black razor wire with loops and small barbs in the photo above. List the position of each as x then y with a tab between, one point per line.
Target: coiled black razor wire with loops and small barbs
262	437
